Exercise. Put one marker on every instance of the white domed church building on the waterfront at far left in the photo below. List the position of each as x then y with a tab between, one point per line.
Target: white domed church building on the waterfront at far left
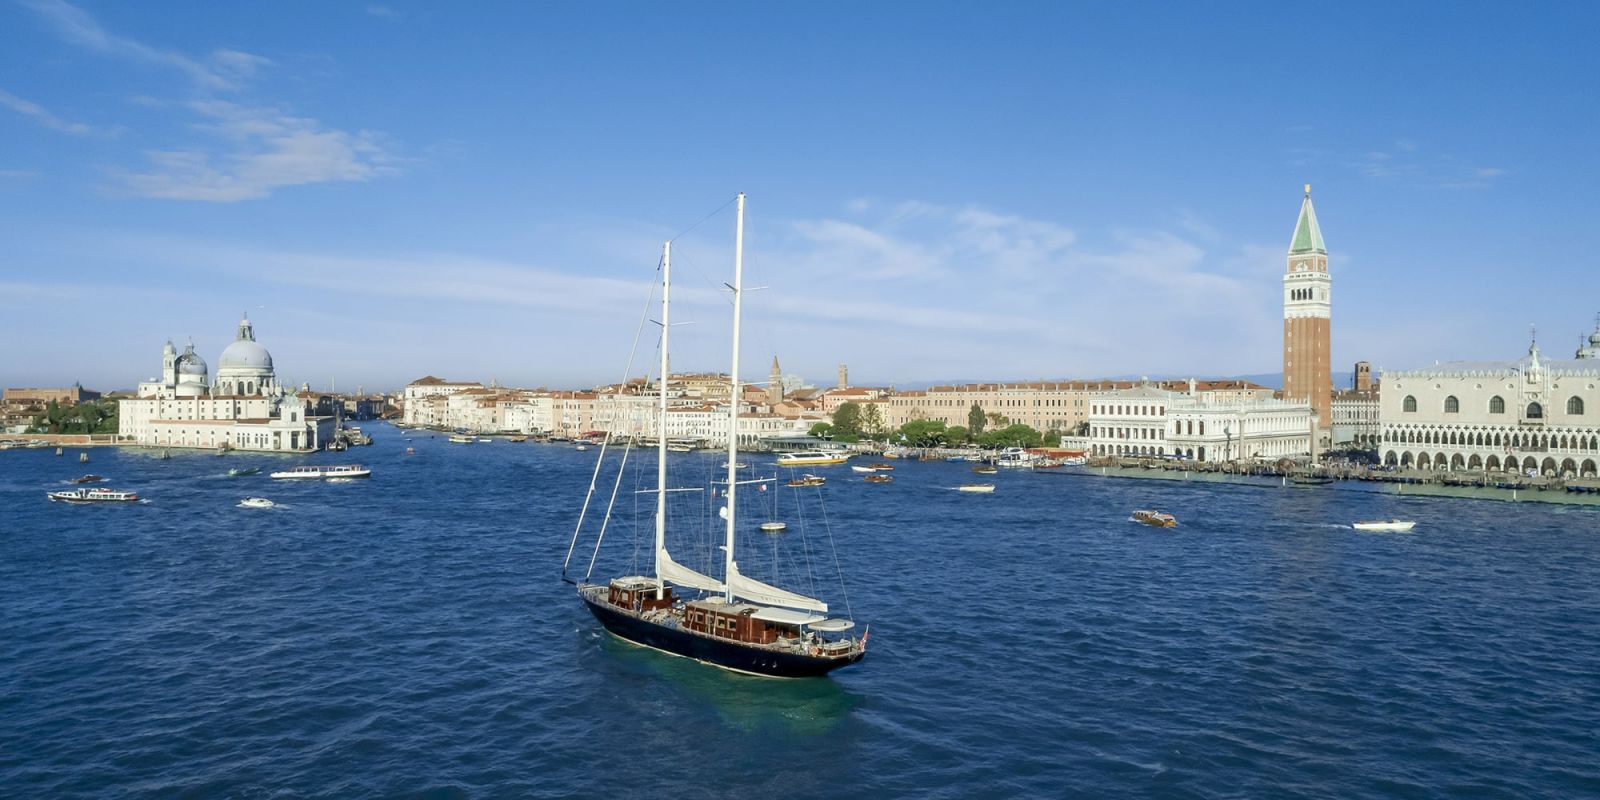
246	409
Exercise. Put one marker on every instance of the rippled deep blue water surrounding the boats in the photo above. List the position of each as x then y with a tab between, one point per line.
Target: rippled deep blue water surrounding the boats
409	638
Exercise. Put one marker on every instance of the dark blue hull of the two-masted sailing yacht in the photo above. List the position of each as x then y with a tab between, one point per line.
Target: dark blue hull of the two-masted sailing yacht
721	654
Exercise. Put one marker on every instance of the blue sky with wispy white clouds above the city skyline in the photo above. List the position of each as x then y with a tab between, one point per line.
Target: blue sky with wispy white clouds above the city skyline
937	191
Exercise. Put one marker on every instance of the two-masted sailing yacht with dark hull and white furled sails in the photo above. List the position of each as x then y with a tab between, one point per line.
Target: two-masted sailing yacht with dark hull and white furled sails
734	622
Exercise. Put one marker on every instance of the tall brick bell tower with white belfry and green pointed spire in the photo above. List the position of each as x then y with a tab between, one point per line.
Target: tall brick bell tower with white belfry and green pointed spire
1308	303
